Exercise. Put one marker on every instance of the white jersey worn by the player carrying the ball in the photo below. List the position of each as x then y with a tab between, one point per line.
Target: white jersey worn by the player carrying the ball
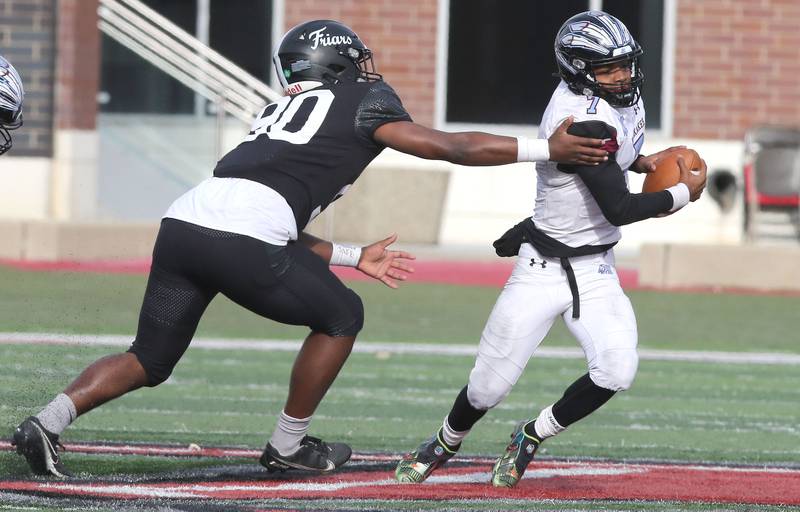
565	209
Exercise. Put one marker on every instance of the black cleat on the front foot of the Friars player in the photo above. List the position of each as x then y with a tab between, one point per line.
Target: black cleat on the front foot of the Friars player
314	455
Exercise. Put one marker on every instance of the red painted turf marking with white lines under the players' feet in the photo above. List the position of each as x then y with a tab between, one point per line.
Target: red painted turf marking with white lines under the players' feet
551	481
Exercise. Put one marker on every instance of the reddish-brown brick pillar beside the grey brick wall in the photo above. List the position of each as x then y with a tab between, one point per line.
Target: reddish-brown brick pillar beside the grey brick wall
78	65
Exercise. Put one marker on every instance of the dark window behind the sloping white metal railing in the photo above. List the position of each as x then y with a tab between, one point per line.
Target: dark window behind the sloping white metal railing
131	84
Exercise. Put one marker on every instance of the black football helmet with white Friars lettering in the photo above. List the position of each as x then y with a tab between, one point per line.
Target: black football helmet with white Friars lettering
322	51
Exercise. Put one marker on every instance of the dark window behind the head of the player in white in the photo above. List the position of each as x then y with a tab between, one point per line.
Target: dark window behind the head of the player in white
500	62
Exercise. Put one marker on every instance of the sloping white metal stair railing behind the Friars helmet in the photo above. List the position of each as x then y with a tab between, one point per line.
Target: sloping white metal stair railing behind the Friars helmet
182	56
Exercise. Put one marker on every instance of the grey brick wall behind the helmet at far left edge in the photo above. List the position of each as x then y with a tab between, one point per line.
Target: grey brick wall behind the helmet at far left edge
27	34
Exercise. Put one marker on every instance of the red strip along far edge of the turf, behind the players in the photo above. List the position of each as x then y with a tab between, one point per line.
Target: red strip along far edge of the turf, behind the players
470	273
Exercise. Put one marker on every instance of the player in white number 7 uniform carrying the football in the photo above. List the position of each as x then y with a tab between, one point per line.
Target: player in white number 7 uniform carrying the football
566	261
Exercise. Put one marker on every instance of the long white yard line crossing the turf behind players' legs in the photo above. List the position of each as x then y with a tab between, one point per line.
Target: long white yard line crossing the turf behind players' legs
266	345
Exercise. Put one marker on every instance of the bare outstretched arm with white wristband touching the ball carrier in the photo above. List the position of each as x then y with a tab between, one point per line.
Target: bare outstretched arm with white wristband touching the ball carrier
479	148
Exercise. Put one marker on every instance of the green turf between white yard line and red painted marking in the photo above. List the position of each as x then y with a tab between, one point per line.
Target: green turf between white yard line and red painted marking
675	411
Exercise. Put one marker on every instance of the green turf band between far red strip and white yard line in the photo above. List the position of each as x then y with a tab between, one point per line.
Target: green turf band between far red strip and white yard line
107	303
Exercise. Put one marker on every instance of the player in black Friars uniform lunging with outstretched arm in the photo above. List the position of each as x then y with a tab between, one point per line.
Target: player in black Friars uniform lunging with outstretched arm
240	233
